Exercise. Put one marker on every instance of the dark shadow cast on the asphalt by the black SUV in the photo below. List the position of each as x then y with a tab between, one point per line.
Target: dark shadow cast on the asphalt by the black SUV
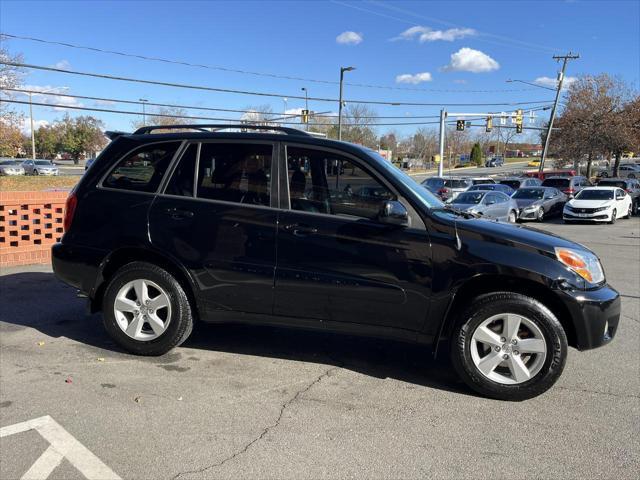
40	301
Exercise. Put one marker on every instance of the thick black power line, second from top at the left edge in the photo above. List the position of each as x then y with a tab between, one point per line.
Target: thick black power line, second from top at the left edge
261	94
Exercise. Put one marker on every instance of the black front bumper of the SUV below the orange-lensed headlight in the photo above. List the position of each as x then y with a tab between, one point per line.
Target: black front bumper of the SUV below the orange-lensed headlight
595	313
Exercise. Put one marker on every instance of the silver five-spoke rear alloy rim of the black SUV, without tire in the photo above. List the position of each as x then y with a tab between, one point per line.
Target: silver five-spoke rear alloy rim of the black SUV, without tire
142	310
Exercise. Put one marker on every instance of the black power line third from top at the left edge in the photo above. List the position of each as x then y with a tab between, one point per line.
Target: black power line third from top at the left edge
202	108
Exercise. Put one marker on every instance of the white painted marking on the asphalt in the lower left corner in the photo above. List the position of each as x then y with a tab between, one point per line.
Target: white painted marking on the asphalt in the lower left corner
62	445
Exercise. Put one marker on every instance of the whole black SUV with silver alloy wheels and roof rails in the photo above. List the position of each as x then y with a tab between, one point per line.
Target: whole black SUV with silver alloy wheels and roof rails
278	227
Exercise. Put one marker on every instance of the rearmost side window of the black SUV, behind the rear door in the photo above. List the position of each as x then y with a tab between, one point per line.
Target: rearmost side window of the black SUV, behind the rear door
143	169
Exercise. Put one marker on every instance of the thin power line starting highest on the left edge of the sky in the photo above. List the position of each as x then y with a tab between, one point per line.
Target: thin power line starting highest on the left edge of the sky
249	72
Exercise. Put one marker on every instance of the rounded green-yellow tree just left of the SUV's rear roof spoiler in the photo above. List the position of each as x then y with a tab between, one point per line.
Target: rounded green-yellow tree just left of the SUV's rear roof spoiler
80	136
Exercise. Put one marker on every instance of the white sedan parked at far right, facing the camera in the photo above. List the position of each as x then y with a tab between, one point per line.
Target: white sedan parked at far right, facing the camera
598	204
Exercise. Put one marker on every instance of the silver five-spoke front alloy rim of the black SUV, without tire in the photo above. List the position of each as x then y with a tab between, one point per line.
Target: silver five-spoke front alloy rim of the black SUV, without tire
508	349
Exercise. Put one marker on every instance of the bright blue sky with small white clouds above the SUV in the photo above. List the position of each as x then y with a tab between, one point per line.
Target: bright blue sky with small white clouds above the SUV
463	46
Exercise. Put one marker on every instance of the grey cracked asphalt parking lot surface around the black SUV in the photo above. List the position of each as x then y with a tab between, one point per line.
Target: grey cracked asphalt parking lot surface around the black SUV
247	402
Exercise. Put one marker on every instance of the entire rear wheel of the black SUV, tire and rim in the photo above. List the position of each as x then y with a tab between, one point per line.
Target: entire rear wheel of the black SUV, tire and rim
177	320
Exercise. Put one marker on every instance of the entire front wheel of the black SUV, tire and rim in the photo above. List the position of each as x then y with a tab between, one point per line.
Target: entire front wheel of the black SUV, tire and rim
546	367
